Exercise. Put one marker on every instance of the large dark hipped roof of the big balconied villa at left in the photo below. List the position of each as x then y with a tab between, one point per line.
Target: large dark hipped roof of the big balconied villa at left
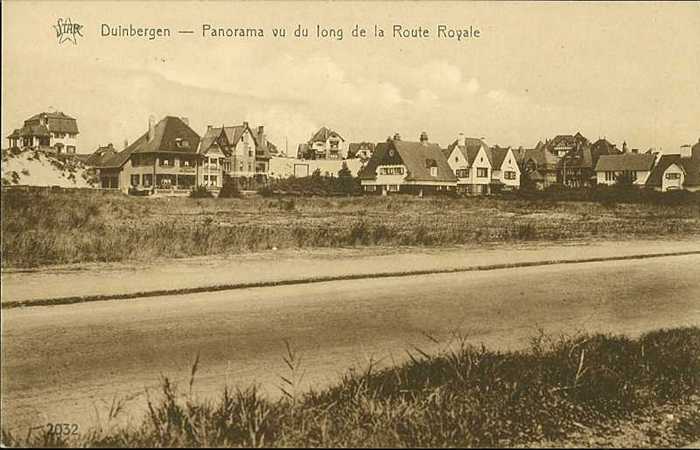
165	136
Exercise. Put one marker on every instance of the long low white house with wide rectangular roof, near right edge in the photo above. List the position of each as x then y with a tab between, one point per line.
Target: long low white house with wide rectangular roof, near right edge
636	166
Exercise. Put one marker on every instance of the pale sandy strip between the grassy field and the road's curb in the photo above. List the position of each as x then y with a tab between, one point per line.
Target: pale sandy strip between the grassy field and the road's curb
100	279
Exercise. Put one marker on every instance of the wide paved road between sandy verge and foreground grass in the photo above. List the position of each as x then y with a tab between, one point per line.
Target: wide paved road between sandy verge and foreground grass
65	363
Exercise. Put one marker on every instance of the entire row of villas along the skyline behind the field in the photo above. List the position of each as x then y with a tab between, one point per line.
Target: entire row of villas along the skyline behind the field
171	157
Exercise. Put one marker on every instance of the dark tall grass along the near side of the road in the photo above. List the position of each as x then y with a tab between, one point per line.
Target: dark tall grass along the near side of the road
467	396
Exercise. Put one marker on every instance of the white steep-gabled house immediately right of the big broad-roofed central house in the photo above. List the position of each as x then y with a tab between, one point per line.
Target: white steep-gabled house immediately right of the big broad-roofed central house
470	161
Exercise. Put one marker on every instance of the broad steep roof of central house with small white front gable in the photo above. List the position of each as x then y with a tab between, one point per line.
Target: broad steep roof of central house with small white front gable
416	156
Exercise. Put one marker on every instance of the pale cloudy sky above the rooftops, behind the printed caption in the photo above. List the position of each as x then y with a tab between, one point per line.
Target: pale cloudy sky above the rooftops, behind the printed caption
624	71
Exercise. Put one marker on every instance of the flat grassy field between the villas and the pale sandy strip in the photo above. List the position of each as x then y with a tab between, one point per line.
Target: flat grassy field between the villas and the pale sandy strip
72	227
